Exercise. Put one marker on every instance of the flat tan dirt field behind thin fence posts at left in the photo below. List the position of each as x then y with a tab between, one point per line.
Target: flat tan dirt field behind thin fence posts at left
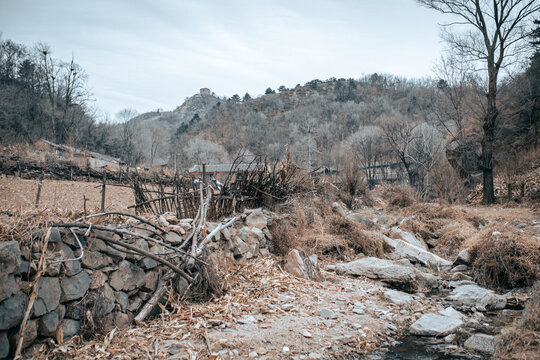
18	195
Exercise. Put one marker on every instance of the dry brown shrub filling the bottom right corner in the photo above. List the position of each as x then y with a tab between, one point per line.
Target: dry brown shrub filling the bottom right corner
522	340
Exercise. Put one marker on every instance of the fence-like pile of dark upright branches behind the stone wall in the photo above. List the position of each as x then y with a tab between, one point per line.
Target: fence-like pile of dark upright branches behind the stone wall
263	186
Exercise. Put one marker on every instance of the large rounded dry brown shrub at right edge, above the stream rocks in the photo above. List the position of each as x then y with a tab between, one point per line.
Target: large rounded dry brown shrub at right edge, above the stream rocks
503	257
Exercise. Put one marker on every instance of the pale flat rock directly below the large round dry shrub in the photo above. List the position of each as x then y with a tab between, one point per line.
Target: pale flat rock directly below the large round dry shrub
474	295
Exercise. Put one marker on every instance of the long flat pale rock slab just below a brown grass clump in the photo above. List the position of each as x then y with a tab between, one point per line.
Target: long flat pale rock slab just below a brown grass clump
399	276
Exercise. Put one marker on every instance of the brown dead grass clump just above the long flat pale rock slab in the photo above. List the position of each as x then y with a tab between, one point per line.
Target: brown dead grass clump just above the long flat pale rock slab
355	236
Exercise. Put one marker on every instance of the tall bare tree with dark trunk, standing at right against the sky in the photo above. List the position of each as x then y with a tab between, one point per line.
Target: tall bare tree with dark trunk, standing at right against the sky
495	41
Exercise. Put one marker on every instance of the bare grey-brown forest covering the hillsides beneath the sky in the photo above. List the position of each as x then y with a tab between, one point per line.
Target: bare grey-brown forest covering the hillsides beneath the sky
430	128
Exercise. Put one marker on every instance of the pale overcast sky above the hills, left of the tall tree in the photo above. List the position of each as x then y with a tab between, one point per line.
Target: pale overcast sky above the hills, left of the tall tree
150	54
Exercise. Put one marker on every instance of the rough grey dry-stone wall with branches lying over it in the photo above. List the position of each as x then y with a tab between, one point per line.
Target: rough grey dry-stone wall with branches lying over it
107	286
